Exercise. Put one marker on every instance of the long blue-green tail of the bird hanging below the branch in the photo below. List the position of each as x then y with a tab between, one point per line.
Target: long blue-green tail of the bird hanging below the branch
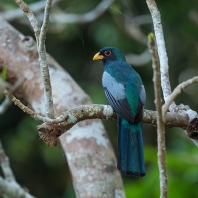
130	148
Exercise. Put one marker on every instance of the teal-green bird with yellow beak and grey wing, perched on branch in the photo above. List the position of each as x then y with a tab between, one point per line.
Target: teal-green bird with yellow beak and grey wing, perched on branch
126	94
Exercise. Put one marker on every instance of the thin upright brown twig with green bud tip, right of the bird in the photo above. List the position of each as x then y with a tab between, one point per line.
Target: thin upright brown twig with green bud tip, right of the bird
160	124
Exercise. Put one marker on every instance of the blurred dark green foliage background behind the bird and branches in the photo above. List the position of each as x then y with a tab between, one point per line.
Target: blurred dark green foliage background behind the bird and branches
125	25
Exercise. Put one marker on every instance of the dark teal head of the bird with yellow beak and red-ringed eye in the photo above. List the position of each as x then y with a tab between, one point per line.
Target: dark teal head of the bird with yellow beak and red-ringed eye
107	54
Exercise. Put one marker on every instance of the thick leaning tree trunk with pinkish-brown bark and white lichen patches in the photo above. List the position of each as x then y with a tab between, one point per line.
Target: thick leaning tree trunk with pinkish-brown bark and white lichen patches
87	148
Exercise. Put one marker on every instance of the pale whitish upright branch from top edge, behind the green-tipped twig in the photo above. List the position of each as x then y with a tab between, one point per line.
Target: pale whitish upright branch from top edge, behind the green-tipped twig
161	49
